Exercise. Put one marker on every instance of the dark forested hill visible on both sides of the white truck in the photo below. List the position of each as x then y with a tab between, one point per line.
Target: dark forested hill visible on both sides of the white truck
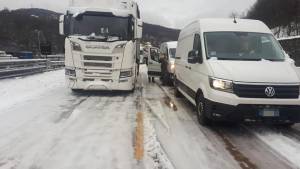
20	30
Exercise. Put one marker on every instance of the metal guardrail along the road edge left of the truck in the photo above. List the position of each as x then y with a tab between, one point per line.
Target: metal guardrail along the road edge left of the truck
22	67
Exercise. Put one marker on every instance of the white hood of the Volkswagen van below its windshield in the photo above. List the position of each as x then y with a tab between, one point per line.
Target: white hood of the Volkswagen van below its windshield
254	71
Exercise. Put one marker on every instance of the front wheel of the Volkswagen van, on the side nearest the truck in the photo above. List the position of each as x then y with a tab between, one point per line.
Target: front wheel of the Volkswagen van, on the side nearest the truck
201	112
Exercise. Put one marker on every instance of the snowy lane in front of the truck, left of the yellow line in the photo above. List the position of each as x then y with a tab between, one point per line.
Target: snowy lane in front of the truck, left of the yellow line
52	128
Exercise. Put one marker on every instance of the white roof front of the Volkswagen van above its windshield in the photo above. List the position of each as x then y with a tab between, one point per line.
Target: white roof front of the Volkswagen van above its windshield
218	25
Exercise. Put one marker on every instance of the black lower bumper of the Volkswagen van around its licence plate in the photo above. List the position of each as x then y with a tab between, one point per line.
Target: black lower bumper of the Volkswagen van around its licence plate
252	112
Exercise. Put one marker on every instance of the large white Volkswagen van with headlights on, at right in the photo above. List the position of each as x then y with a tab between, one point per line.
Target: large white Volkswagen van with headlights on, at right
235	70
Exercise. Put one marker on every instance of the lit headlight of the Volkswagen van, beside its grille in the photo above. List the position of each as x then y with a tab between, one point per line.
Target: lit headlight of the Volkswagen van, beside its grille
221	84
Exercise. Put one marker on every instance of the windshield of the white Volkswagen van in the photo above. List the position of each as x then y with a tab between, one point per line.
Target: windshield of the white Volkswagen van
242	46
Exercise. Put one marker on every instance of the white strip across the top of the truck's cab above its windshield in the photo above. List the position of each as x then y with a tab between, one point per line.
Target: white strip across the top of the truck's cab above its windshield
117	12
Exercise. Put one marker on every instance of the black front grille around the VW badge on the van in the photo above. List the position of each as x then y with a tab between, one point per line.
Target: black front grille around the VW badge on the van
258	91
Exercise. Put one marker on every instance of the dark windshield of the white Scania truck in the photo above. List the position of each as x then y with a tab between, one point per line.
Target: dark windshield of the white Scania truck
98	27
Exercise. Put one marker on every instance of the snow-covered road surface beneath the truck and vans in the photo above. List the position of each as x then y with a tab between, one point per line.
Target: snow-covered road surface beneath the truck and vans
43	125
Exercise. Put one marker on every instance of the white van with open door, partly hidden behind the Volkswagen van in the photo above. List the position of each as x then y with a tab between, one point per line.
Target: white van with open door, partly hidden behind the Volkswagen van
168	50
